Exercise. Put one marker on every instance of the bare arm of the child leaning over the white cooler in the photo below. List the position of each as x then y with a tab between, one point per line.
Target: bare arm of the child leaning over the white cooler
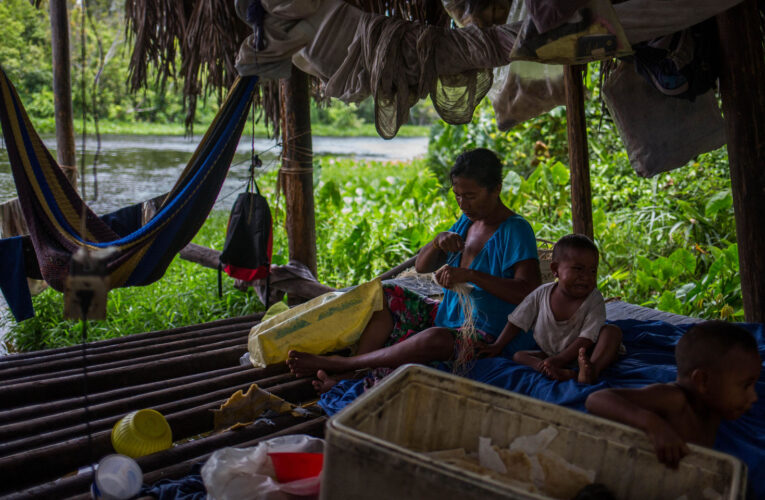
645	409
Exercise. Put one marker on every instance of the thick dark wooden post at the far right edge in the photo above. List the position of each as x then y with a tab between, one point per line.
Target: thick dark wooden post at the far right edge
743	97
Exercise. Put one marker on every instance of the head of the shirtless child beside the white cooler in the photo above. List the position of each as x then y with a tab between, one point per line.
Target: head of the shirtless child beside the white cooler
720	360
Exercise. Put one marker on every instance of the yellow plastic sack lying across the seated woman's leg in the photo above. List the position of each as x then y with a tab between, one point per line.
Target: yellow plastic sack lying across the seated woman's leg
327	323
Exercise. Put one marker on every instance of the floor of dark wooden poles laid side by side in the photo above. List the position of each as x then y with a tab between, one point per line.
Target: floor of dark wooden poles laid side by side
183	373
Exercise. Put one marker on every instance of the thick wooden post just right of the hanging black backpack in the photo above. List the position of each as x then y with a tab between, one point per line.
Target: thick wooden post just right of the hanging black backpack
296	174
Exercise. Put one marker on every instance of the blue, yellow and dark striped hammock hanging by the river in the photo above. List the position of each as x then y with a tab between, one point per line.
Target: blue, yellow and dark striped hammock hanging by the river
53	210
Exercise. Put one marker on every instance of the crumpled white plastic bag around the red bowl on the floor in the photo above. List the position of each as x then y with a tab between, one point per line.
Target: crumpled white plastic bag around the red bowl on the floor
248	474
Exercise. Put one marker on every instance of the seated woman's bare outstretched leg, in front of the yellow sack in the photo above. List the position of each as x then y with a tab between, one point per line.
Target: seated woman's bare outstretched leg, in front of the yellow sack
433	344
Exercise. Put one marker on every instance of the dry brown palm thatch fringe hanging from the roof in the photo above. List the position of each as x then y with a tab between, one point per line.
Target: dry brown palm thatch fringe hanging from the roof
206	35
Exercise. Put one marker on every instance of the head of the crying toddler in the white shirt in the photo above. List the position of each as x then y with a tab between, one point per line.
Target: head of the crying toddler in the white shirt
575	264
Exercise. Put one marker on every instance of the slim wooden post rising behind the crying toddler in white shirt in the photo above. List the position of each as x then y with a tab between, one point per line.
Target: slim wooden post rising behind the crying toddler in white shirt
581	193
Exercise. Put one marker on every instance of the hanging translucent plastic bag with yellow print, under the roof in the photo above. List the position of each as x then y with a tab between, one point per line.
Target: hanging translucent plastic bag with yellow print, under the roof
592	34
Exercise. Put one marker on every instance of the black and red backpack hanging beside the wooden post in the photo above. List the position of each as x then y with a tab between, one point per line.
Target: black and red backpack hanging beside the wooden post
249	236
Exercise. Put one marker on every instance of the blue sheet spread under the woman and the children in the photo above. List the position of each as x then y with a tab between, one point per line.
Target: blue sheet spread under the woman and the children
650	359
